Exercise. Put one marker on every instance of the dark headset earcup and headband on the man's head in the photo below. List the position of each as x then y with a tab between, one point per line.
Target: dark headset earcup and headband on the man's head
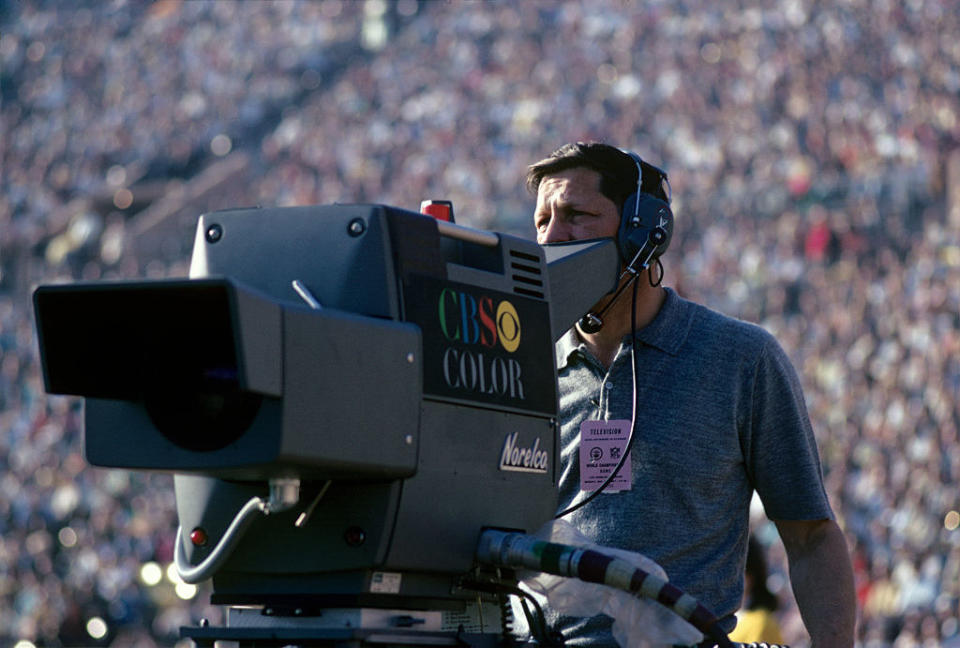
642	212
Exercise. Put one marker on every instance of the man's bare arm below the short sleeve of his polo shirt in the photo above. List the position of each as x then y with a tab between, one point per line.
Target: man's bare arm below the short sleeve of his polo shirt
822	579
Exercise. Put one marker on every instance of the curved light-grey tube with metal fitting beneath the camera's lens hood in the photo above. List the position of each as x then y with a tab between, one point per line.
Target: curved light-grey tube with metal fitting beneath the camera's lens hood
284	495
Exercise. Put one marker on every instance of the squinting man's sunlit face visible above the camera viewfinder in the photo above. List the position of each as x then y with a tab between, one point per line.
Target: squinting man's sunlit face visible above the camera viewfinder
570	207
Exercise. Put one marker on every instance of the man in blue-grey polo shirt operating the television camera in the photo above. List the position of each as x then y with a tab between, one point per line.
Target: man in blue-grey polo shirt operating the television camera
719	414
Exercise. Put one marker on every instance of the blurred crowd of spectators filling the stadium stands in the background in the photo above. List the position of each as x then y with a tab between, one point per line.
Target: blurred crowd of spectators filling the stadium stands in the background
812	149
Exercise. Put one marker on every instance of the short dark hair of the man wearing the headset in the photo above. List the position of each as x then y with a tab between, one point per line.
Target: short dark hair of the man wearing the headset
618	171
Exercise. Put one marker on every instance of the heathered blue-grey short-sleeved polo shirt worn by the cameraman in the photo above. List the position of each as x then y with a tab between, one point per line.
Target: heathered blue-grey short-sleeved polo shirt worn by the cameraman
720	414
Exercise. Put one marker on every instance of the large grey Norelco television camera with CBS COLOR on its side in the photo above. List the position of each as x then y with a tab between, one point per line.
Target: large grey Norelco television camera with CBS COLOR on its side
349	397
